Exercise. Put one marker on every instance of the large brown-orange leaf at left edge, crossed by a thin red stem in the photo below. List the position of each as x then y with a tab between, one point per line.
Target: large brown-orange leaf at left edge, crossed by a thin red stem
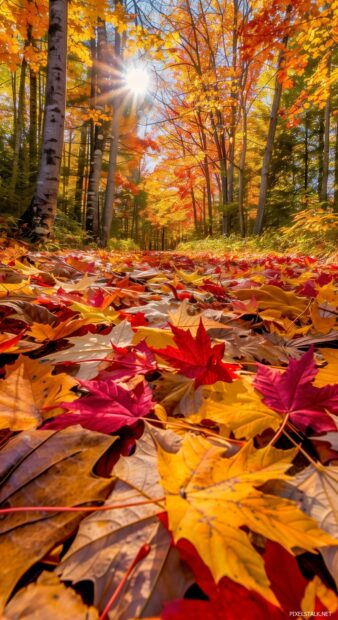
40	468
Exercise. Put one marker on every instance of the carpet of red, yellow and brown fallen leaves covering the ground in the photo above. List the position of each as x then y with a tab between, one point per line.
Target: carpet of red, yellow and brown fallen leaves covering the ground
168	436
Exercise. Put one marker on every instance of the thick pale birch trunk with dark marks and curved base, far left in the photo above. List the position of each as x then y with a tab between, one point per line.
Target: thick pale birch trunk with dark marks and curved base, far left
37	221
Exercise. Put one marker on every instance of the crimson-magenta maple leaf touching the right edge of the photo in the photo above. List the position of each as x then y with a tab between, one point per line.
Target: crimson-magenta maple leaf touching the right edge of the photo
291	392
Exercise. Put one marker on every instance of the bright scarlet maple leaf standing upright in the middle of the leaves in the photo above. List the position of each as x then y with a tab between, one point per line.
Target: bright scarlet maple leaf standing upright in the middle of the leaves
197	358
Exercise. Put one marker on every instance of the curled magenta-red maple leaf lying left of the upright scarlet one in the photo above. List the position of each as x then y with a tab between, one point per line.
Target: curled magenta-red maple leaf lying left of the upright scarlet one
107	408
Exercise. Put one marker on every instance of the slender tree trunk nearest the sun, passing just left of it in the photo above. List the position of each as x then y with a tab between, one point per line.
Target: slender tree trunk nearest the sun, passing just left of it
117	109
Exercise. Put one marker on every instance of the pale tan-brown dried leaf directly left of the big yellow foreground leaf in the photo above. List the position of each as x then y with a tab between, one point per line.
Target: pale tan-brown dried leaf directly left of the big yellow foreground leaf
106	545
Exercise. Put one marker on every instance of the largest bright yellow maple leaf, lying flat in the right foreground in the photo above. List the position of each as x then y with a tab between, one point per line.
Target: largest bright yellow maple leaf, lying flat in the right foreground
209	498
